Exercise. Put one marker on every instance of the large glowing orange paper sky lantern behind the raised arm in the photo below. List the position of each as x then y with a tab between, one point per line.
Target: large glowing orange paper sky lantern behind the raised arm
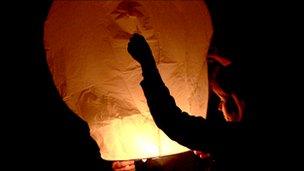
86	45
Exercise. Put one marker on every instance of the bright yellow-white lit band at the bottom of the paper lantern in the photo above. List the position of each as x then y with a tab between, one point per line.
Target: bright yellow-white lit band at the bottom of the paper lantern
141	136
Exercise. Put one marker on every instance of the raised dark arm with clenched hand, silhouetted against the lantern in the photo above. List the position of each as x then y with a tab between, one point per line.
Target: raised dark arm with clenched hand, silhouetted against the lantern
191	131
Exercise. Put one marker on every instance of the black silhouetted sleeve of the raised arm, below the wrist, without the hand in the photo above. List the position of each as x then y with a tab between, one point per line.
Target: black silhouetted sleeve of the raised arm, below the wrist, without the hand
191	131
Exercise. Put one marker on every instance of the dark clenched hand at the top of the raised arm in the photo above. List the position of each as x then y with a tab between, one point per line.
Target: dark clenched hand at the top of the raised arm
140	50
